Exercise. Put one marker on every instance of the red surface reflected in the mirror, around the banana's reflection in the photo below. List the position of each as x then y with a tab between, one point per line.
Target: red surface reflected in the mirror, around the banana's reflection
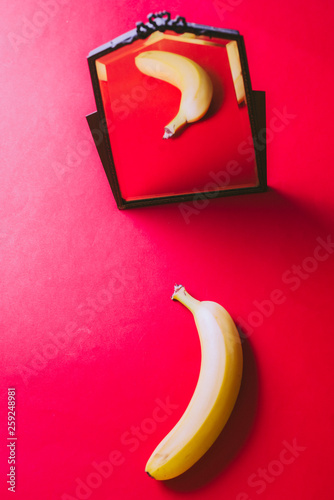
138	108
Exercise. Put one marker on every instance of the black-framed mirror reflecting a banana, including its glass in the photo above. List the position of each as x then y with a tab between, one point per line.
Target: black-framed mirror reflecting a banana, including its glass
179	114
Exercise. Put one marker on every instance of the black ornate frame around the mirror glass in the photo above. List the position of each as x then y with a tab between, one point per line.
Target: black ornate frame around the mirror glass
162	21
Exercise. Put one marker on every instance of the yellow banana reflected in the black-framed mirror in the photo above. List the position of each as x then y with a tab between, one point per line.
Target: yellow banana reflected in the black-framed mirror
188	76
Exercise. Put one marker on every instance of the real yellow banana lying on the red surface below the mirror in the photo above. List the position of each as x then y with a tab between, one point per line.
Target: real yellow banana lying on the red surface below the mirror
215	393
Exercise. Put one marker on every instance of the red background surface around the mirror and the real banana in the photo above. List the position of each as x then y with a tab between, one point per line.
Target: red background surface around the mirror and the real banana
89	336
